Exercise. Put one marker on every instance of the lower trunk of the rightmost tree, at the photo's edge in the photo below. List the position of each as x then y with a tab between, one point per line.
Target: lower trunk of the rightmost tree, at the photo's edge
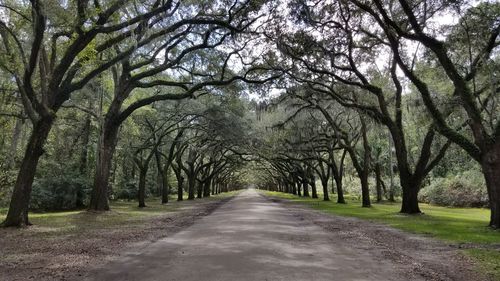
490	165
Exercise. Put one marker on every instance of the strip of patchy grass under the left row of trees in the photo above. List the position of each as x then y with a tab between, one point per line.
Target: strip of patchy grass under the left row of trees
122	214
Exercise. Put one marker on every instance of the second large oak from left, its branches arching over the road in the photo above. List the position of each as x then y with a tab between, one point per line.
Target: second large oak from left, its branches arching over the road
188	49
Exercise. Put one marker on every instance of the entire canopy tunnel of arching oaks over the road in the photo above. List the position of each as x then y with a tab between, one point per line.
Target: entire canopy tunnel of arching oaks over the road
117	99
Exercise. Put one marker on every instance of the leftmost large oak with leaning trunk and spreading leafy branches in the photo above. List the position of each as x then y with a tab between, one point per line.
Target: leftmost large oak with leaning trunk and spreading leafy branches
65	58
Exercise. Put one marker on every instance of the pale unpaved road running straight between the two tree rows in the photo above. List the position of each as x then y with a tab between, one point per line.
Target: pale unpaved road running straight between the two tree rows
253	238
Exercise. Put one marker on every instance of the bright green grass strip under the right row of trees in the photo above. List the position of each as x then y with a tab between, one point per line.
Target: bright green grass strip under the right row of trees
455	225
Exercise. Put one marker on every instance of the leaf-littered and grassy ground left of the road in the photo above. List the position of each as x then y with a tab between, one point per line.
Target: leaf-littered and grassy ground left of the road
64	245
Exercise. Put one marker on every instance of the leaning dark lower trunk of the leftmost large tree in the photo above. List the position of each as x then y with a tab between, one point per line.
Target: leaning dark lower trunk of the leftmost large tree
19	203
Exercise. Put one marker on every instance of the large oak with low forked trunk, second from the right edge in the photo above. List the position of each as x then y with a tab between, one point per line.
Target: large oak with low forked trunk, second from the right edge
339	70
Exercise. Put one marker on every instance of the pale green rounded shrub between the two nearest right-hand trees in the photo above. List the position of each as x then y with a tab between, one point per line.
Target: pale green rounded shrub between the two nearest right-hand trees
465	189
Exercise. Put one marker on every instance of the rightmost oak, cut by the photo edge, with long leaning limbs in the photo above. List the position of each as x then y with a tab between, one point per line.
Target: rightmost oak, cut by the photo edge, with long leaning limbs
466	57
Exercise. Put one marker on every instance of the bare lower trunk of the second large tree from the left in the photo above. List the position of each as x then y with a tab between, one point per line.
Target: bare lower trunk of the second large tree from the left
108	139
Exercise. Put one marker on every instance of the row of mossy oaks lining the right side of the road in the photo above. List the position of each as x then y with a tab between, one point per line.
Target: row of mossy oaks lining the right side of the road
352	64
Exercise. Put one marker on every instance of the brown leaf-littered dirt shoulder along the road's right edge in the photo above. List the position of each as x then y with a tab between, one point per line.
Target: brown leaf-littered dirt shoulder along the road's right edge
419	256
